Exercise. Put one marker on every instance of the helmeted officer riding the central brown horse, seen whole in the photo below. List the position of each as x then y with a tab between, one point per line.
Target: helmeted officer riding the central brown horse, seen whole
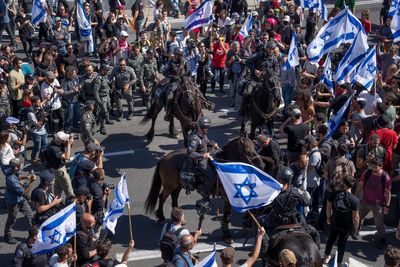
199	148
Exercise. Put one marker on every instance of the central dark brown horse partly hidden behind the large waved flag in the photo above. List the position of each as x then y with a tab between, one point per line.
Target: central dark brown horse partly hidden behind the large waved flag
167	176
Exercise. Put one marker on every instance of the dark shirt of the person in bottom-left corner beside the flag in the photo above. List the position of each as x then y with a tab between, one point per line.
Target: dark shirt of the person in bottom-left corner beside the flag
23	256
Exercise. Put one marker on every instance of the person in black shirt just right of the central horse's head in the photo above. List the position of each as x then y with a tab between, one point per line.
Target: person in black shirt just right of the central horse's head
270	153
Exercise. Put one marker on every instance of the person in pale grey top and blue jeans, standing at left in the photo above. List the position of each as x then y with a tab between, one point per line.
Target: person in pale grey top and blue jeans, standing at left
37	120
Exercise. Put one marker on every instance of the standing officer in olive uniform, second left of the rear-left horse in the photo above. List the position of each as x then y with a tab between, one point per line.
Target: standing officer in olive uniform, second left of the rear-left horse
102	87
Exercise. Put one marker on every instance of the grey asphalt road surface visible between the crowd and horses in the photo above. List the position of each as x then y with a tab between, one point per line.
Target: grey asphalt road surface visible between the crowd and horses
138	162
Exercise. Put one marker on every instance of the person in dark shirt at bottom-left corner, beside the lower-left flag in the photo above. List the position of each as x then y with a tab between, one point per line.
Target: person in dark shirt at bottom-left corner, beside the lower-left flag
23	252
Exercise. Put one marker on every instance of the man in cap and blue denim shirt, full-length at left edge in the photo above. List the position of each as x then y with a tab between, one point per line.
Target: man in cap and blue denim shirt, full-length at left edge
16	191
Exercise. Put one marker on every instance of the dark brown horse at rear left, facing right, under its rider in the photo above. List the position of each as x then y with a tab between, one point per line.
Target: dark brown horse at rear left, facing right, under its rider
187	107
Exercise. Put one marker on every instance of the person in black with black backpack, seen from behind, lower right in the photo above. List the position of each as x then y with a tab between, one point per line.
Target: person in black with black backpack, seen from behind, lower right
342	215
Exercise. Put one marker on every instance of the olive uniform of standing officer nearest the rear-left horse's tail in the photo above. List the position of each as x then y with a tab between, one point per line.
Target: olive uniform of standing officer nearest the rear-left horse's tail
127	77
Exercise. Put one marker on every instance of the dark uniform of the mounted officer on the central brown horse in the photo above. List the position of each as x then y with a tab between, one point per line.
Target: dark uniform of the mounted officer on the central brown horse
198	145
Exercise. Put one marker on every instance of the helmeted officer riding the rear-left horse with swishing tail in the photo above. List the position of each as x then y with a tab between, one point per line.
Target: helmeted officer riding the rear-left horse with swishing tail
174	70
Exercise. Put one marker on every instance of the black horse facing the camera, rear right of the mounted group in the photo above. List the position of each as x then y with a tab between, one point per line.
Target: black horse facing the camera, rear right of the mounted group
262	105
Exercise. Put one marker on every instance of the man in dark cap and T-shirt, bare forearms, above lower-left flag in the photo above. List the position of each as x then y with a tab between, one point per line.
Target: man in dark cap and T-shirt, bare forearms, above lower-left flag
45	202
